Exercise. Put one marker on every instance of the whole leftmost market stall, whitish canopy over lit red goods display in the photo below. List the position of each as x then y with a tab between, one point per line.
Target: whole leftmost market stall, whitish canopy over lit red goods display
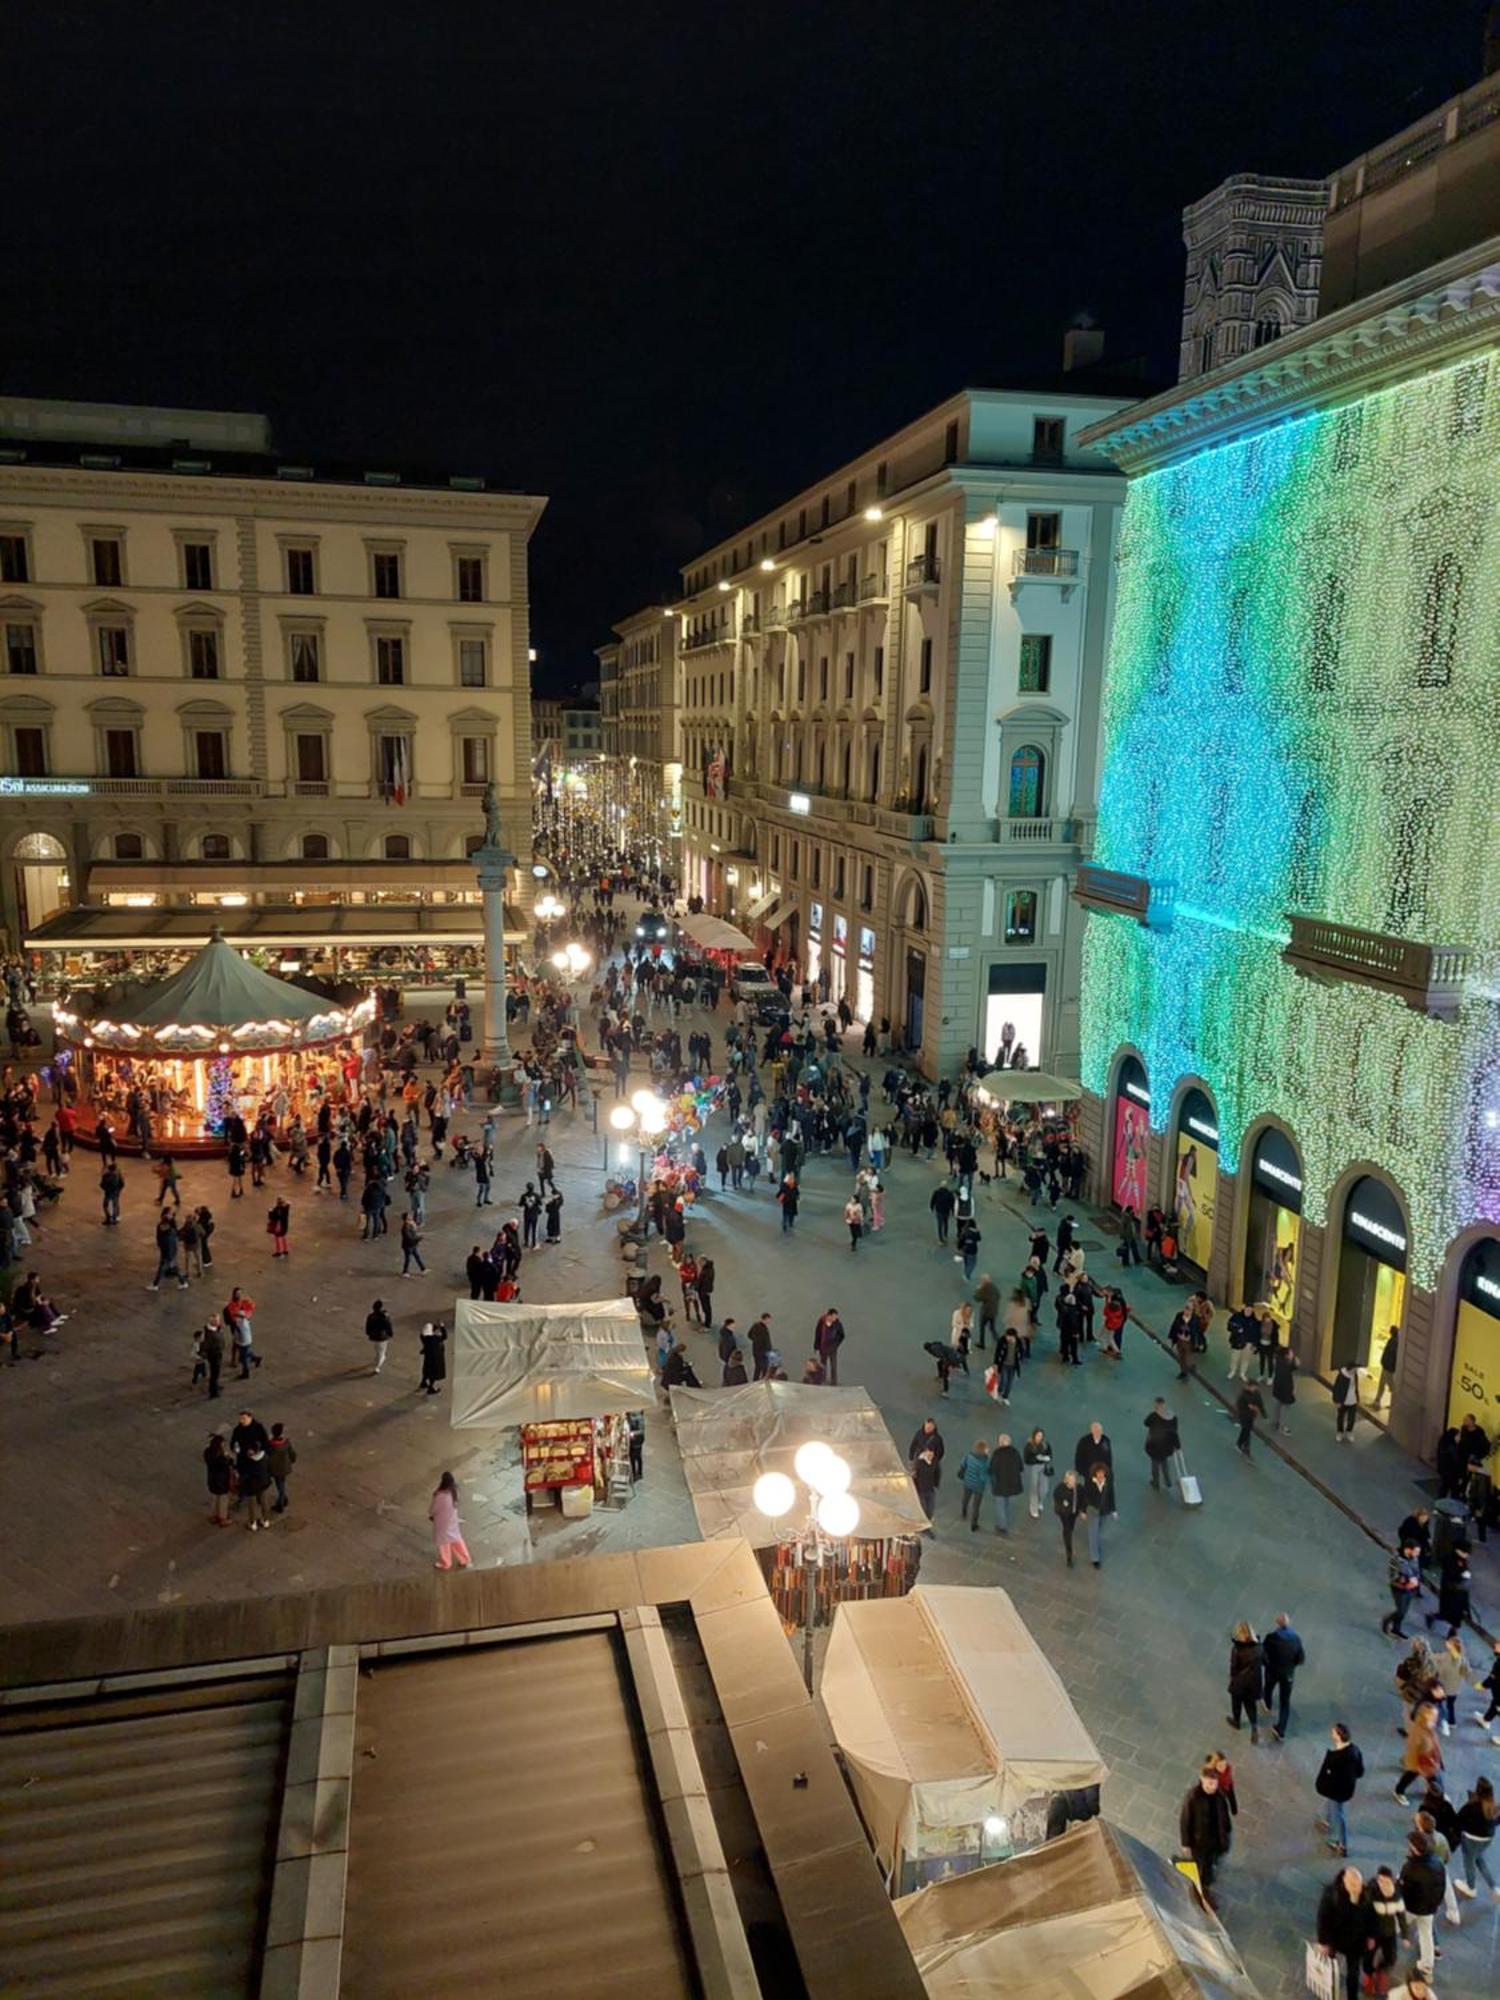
569	1379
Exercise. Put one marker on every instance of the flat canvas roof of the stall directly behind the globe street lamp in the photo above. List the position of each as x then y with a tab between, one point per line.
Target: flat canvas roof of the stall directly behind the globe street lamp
729	1437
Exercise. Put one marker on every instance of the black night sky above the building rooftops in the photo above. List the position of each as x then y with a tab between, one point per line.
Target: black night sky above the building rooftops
663	263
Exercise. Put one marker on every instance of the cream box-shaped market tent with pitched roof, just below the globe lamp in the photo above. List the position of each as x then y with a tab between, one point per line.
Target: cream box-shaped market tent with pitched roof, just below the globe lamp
955	1729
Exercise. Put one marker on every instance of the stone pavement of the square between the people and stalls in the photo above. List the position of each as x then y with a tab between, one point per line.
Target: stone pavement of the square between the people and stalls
103	1483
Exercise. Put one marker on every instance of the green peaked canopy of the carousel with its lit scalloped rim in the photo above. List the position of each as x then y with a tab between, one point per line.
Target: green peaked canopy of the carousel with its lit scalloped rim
217	997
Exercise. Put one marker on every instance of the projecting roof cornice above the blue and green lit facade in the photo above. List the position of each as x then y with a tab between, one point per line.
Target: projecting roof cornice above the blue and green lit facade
1423	323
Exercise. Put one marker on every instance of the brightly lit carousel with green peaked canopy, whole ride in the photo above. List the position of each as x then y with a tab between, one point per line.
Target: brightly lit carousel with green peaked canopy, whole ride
171	1063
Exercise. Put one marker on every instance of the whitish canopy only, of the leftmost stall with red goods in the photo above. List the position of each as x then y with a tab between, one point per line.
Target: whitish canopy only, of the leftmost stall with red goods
533	1365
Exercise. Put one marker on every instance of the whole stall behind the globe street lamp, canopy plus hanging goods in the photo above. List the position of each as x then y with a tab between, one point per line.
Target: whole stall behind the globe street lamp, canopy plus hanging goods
729	1437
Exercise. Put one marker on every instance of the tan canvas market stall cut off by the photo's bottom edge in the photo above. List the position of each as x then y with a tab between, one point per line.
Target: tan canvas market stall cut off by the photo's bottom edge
1095	1913
